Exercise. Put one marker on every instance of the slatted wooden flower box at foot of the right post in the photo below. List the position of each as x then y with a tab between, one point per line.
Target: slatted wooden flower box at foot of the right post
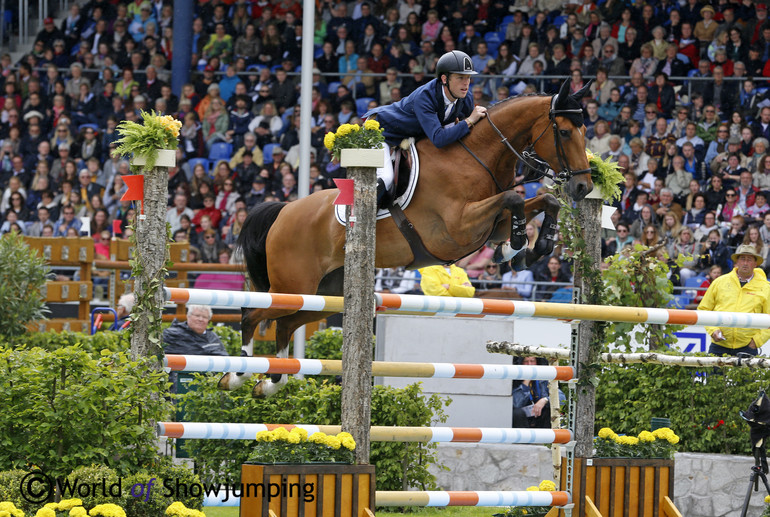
621	487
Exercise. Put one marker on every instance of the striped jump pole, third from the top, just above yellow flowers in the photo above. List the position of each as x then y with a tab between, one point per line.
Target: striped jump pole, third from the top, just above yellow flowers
230	431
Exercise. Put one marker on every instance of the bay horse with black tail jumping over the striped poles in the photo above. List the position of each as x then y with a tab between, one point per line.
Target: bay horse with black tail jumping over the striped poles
462	201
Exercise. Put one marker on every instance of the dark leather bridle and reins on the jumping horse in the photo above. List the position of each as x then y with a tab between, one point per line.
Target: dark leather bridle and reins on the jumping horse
529	158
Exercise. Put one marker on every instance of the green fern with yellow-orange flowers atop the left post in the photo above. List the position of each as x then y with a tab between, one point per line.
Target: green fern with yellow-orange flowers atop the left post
145	139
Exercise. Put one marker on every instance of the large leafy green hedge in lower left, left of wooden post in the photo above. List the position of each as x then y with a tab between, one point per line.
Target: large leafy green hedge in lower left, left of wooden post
63	409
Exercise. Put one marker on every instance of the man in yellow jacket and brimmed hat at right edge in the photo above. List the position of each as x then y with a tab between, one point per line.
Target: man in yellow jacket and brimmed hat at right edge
744	289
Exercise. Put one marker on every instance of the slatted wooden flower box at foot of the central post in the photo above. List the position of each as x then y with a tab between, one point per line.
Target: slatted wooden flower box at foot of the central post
321	490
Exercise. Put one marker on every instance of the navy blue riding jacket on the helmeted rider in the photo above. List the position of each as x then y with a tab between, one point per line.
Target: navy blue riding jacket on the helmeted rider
422	114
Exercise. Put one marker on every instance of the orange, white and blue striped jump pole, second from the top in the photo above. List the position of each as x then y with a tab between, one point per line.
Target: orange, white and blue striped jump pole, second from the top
205	363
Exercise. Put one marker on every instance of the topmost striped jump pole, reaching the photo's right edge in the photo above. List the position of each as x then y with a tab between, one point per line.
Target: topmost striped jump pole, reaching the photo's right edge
472	307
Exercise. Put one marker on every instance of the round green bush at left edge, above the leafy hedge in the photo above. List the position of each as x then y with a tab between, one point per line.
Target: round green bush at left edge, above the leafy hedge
23	275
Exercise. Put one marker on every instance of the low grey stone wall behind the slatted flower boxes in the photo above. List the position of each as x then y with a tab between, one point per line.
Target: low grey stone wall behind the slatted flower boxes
705	485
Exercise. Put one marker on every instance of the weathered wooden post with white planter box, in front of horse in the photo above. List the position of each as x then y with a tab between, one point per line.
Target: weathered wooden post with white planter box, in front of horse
358	322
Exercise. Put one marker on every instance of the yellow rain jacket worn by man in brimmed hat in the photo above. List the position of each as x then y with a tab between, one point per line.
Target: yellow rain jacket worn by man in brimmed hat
726	294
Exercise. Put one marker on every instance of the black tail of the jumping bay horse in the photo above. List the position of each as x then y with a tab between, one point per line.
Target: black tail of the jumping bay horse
252	242
